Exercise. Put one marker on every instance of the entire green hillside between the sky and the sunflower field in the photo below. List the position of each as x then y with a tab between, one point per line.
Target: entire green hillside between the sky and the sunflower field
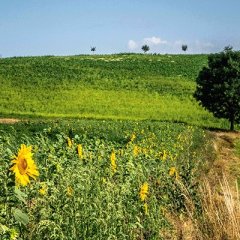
122	86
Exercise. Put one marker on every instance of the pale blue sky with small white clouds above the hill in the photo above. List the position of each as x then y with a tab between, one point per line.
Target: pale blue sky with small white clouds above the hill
69	27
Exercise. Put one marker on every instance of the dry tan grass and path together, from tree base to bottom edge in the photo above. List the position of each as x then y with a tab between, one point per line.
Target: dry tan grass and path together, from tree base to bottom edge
219	218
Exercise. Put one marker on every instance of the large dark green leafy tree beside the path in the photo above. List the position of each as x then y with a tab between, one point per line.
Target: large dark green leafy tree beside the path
218	85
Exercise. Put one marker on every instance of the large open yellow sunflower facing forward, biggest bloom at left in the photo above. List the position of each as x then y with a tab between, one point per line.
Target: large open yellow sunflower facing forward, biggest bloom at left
24	166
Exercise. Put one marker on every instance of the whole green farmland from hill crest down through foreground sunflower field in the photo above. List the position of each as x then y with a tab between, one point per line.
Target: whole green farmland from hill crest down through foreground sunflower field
117	148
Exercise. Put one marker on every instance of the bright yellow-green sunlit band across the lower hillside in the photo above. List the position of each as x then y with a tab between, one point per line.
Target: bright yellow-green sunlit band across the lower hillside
106	104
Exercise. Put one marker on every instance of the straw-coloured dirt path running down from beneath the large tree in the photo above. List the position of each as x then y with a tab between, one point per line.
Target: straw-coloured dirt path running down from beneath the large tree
220	190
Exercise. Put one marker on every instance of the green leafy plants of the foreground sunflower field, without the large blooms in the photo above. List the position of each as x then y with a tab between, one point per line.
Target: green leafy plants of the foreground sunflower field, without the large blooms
82	198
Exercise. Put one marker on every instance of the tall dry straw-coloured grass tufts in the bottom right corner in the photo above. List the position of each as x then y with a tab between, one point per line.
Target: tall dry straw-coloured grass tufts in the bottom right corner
219	218
